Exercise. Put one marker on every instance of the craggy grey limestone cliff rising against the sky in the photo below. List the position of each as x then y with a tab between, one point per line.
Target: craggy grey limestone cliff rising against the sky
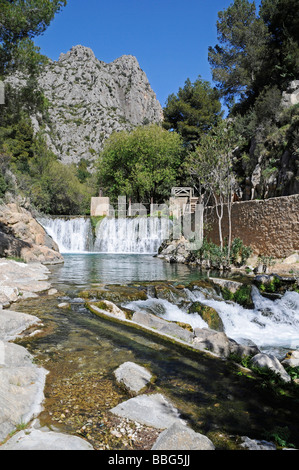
90	99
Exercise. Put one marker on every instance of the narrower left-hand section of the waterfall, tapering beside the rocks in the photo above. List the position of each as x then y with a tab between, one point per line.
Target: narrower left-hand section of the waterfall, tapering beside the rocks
72	235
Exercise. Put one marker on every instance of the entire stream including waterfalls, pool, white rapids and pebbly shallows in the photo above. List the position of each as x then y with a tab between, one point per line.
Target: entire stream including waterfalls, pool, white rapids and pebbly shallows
82	351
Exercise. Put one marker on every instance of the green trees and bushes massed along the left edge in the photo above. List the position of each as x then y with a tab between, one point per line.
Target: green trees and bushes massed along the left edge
27	165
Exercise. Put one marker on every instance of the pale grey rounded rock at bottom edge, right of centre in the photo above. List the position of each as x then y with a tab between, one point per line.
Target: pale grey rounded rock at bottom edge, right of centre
181	437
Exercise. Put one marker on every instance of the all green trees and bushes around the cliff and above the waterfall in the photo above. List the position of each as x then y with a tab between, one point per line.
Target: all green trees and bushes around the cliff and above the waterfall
253	62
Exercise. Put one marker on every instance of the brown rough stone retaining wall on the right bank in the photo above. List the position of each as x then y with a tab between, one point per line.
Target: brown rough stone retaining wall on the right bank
270	226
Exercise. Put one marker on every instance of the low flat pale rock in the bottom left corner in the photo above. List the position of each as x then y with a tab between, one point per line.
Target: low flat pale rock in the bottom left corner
35	439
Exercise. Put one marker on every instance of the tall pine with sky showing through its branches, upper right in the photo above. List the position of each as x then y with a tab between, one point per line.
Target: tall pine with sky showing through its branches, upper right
239	59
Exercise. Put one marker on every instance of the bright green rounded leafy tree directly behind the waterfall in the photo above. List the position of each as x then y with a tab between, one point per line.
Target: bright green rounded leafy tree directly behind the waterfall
141	164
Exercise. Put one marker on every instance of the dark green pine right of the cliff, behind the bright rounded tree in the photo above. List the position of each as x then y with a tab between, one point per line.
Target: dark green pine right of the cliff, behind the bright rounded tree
193	111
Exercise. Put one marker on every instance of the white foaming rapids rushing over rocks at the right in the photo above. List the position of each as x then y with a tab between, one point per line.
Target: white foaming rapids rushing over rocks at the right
270	325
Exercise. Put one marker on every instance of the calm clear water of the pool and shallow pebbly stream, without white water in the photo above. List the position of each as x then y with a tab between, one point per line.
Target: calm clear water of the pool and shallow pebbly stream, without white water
82	351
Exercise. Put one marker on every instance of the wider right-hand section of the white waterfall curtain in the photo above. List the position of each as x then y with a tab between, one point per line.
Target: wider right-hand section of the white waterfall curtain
131	235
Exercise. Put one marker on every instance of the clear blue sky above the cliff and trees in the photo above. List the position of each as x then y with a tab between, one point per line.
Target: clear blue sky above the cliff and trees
170	38
